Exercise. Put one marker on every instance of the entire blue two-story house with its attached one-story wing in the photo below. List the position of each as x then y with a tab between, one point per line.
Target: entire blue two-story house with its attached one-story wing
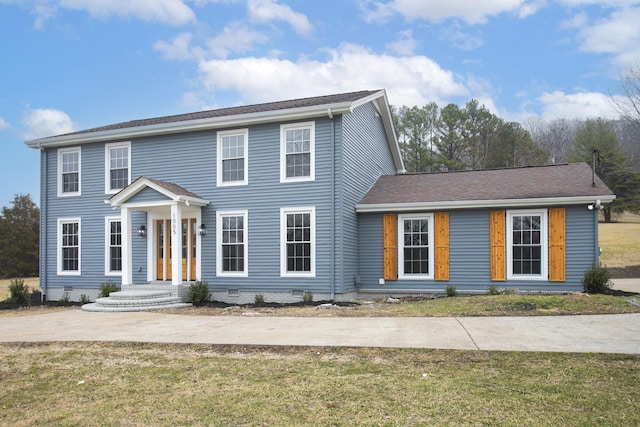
305	195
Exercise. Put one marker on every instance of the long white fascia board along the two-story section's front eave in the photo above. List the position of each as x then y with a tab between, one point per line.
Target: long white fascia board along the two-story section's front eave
191	125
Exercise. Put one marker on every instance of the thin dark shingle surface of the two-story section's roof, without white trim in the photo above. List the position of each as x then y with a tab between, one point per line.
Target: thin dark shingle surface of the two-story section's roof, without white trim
233	111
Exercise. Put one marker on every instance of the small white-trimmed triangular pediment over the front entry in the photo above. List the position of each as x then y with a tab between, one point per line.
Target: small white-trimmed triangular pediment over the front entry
146	190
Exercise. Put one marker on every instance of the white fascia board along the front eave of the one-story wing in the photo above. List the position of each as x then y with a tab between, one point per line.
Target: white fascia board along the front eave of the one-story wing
469	204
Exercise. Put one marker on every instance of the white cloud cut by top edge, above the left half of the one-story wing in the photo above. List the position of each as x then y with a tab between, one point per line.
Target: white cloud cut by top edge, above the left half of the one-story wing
472	12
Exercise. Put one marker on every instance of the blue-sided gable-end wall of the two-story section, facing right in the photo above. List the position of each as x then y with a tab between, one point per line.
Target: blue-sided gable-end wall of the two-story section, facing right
365	156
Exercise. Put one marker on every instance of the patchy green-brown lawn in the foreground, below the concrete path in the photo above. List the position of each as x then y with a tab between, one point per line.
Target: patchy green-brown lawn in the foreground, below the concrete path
145	384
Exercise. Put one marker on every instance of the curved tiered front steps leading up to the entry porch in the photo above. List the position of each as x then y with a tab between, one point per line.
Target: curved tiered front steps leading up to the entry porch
136	300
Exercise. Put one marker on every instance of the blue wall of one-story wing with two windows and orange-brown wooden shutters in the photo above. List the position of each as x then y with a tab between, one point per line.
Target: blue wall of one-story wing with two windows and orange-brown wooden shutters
485	247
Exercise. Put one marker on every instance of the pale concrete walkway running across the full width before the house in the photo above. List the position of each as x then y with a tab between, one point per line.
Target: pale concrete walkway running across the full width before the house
601	333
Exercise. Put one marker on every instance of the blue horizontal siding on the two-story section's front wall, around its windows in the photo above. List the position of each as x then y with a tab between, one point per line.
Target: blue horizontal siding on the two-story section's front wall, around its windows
189	160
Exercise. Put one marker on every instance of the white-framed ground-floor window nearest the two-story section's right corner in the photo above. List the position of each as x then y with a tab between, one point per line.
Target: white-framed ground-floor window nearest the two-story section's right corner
298	242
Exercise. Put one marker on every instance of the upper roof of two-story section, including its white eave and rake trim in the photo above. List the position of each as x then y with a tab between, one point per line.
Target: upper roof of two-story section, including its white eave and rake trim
290	110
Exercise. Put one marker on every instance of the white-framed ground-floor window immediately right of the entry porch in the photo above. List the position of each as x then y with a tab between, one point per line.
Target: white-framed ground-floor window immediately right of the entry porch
231	235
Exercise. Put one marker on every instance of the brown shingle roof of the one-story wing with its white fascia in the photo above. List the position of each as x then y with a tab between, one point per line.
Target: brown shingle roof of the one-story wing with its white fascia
554	184
